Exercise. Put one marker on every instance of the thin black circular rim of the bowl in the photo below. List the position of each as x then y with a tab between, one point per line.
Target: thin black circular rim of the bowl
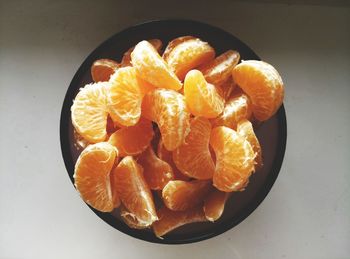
65	119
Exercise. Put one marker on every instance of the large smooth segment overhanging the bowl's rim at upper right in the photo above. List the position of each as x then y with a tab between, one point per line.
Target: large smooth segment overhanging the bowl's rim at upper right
263	85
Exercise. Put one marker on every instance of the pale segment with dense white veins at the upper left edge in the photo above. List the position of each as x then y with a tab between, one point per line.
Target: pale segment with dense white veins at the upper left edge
89	112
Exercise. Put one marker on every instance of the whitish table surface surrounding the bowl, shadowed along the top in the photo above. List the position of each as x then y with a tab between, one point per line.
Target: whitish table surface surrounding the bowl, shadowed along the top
307	212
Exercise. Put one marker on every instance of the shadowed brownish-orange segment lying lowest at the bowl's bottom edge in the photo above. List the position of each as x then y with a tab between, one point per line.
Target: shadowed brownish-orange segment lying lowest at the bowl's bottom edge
170	220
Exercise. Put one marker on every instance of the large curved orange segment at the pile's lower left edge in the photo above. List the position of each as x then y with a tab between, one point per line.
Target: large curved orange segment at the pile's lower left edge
92	176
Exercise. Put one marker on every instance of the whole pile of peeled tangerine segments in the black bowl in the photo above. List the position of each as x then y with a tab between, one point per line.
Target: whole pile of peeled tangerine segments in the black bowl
175	124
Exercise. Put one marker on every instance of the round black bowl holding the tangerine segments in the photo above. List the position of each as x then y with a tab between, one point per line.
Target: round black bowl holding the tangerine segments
272	134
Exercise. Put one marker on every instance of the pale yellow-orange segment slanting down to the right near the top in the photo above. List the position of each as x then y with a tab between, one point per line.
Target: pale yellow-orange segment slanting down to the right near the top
152	68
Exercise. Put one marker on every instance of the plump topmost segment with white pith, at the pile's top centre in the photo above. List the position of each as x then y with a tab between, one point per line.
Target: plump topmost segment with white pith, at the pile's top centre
187	53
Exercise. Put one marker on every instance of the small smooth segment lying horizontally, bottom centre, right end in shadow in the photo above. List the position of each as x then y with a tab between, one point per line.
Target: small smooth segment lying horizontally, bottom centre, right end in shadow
180	195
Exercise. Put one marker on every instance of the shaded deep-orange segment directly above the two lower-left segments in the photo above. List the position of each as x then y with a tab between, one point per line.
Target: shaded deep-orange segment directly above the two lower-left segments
133	140
